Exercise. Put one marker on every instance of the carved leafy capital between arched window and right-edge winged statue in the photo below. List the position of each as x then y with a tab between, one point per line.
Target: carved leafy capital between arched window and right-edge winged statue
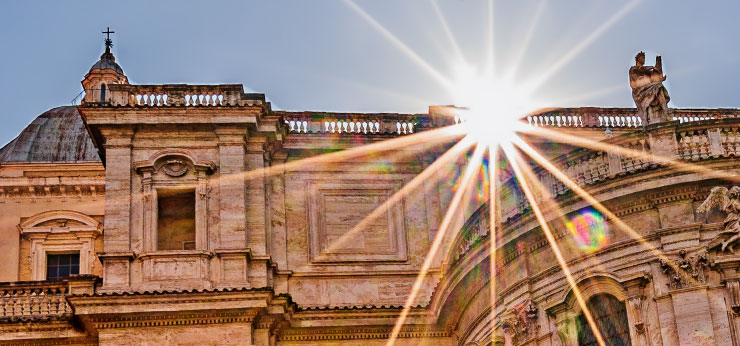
687	271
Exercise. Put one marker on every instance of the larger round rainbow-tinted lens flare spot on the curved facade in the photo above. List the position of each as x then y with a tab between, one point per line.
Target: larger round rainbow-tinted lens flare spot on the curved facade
589	230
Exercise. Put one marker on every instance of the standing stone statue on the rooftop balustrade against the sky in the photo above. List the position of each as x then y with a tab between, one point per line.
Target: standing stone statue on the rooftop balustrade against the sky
650	96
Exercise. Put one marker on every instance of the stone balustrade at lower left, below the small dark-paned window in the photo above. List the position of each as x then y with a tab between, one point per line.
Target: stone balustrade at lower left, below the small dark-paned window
38	299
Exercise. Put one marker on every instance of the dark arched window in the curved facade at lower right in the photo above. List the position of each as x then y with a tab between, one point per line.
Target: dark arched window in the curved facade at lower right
610	316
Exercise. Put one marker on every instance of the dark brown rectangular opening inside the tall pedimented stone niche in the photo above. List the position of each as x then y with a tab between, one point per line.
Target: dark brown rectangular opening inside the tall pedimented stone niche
176	219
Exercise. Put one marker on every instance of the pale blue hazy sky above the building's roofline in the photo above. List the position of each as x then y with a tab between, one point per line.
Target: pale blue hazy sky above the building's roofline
369	56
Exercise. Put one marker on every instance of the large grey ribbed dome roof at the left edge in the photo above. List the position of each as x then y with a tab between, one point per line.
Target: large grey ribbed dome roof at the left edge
57	135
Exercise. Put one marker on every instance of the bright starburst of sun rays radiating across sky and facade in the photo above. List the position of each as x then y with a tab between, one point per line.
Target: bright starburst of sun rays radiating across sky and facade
490	107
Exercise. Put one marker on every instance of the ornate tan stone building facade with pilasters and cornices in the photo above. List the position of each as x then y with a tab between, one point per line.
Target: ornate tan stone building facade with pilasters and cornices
196	214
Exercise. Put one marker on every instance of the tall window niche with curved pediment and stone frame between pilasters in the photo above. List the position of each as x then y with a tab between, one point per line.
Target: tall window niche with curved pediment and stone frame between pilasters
174	202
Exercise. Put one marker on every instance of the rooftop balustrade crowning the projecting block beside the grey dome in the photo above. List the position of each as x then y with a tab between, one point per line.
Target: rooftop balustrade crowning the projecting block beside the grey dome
179	95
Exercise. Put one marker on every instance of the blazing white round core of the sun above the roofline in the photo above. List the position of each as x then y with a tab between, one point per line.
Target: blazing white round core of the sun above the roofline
490	108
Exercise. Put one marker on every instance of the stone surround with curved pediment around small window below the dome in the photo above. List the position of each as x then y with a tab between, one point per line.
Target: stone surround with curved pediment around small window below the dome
60	238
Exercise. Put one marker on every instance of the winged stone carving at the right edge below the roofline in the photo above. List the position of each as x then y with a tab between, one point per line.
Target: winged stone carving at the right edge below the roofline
727	201
